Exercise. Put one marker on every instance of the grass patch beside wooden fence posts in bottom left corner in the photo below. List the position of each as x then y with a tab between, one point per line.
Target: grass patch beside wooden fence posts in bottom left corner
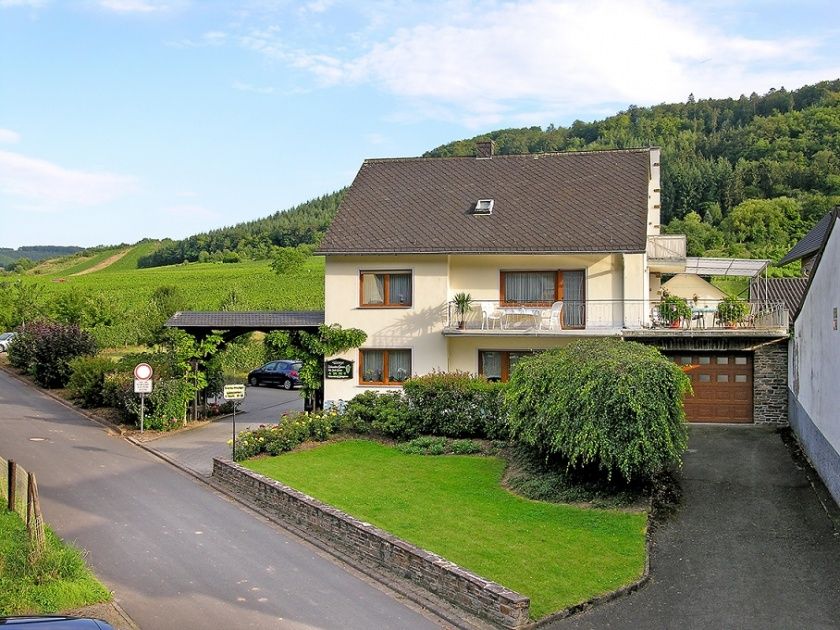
59	581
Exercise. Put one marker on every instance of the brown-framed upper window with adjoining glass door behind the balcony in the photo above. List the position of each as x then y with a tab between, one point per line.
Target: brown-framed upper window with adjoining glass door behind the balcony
543	288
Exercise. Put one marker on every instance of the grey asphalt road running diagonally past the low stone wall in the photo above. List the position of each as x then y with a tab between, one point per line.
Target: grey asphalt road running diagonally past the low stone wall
177	554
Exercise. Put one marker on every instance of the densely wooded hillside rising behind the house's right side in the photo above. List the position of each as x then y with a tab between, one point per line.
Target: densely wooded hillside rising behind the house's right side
740	177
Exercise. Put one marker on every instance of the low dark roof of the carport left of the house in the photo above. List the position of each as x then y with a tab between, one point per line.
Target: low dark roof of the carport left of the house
246	320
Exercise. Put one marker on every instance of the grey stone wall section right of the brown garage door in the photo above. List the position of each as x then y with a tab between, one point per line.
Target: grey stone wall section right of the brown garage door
770	386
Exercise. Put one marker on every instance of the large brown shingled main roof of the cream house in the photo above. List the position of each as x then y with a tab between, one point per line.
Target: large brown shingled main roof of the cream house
550	202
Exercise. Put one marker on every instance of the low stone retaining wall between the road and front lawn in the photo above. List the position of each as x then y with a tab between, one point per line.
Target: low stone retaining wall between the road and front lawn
377	550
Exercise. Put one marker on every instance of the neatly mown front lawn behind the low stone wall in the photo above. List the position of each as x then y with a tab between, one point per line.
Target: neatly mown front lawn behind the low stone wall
558	555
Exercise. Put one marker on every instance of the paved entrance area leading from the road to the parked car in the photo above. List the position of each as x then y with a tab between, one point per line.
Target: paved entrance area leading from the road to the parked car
196	448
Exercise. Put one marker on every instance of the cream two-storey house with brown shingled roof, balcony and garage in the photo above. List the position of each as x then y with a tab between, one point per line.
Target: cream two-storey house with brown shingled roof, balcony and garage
548	248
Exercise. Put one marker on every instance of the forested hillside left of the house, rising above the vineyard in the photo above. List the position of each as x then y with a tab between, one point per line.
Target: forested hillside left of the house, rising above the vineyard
257	240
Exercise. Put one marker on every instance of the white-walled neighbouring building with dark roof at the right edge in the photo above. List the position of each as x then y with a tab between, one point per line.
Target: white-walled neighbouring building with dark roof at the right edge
815	352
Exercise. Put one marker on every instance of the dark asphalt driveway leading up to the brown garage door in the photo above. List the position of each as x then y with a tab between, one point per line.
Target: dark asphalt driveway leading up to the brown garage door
751	546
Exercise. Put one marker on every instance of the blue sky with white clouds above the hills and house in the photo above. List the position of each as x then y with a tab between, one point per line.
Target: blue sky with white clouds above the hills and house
130	119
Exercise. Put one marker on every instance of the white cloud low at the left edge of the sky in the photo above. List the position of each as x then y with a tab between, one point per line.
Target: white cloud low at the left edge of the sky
52	187
